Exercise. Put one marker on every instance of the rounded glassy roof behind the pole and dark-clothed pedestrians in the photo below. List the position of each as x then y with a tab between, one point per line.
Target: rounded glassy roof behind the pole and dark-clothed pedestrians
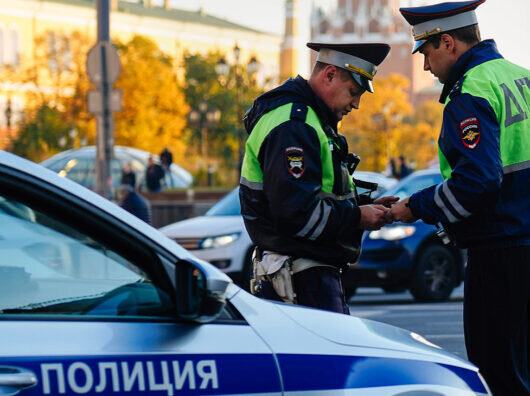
79	166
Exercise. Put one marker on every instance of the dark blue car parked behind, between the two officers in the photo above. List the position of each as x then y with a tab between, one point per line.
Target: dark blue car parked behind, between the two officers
408	256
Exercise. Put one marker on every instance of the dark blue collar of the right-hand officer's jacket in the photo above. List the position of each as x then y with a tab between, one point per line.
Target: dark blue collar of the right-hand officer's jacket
482	52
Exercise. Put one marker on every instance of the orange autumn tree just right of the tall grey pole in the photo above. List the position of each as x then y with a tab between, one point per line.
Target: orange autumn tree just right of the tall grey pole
154	106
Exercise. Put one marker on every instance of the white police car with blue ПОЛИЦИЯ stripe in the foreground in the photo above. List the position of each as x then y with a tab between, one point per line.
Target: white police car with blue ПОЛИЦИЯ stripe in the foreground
94	301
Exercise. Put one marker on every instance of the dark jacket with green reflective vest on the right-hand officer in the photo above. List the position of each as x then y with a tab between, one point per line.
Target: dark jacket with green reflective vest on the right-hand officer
484	150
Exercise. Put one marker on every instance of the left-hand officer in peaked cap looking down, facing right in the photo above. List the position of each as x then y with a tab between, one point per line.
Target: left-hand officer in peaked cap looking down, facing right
297	197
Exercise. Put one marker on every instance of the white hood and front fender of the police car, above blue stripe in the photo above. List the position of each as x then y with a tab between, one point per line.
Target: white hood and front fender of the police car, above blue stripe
328	331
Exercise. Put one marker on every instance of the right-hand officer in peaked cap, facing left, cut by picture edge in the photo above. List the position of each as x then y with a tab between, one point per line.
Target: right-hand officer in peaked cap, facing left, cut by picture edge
484	202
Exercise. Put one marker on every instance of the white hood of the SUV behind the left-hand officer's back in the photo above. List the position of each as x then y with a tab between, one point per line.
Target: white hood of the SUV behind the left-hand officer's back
204	226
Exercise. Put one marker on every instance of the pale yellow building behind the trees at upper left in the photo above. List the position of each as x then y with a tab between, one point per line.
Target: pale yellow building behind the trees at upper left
174	31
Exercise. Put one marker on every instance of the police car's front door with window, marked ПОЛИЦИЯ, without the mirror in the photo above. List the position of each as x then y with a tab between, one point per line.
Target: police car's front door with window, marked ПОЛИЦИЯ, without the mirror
87	306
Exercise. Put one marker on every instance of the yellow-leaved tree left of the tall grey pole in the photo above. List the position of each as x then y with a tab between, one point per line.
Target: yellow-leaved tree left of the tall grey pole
56	71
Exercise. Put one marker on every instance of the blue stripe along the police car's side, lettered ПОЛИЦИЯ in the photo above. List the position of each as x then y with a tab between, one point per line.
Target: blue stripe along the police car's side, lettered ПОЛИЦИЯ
238	373
